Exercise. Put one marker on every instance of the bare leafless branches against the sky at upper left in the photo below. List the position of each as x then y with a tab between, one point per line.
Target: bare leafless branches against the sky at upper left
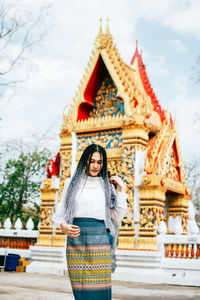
20	32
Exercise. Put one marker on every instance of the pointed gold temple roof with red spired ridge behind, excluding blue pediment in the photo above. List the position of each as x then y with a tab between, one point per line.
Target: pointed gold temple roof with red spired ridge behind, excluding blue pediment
131	82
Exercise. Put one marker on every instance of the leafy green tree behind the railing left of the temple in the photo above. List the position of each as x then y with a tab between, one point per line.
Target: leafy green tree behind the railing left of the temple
21	178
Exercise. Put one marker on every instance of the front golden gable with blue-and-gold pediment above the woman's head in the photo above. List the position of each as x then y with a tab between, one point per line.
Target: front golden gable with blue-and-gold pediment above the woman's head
107	82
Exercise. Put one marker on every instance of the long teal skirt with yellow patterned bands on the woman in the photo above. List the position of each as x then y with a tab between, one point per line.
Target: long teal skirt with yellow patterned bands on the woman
89	261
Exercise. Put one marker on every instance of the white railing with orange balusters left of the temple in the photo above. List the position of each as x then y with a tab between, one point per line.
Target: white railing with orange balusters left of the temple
18	238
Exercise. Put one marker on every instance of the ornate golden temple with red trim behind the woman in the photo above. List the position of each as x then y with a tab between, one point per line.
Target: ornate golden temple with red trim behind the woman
116	107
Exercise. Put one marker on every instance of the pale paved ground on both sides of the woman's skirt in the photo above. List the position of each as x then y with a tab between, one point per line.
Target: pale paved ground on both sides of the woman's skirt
21	286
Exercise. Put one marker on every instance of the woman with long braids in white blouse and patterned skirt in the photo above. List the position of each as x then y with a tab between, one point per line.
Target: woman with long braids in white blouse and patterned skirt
88	208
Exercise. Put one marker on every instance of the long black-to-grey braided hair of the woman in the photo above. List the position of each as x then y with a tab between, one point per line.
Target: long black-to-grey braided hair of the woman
74	186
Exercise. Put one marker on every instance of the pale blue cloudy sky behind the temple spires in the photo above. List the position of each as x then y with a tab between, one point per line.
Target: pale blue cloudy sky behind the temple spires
168	33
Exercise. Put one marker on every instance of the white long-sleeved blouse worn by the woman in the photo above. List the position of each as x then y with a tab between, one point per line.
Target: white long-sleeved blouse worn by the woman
90	202
